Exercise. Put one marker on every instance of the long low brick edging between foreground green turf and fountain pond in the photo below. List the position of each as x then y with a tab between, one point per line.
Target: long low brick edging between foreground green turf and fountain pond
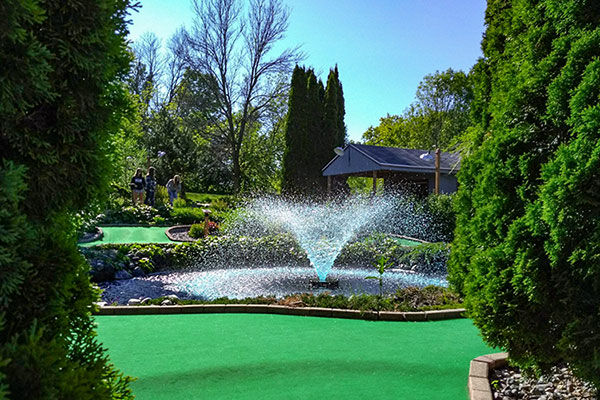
433	315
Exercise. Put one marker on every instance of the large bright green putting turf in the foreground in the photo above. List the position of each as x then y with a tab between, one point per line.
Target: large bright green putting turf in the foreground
259	356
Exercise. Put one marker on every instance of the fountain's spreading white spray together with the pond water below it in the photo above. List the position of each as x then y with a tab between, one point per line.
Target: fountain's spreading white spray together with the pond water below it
321	230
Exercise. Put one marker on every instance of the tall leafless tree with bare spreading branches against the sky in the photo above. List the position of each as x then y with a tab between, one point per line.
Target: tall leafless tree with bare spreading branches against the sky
234	49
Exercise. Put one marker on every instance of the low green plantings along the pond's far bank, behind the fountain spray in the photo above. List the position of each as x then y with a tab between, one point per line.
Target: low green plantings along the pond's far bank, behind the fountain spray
224	251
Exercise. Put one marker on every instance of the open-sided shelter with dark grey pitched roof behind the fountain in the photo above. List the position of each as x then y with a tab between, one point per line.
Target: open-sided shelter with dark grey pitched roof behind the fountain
424	171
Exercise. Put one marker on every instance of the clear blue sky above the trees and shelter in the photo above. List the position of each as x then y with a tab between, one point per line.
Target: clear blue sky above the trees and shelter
383	48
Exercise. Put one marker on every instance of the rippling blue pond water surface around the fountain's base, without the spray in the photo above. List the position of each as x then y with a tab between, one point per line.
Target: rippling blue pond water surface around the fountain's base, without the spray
239	283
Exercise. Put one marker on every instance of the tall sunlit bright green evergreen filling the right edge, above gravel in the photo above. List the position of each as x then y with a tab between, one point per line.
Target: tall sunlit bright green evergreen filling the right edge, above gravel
526	252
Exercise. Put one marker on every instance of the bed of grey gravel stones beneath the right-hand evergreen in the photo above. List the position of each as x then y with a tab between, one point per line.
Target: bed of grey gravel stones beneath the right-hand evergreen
509	384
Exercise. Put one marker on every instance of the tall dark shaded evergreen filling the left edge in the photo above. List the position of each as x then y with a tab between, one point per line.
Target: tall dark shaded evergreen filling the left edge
60	100
